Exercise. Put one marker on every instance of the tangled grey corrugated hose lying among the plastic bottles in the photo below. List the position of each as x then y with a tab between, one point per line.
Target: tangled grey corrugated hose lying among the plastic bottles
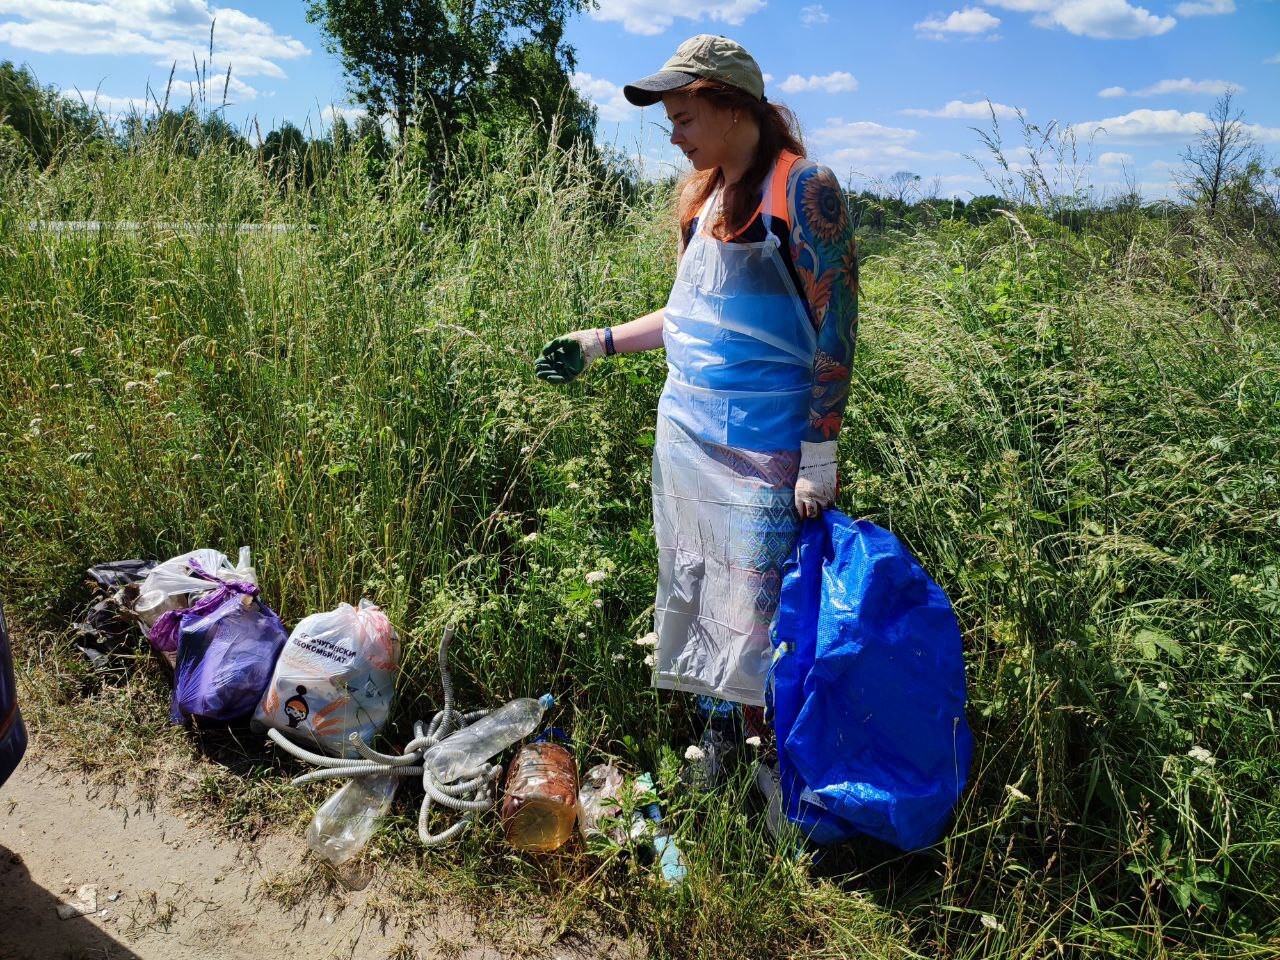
470	796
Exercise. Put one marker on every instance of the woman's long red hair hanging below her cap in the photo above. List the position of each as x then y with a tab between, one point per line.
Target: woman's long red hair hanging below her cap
779	132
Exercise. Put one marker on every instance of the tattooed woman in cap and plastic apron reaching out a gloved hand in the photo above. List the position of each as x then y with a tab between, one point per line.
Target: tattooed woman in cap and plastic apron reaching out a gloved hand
760	332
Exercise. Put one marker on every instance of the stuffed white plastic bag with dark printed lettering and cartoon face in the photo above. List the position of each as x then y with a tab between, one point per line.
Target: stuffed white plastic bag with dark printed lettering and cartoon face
336	676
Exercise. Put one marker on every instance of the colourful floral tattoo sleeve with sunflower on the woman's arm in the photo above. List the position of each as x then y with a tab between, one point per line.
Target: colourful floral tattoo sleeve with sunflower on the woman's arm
826	259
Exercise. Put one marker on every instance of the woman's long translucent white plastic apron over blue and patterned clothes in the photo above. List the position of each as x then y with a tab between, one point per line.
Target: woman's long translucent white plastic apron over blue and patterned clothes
732	418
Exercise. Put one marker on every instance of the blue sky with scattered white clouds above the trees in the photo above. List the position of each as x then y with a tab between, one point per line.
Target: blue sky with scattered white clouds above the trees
879	88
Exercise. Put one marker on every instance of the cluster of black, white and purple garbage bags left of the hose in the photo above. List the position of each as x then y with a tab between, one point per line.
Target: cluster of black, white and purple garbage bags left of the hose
231	656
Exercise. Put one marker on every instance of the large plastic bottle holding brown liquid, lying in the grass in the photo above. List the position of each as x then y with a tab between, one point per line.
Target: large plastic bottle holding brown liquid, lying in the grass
540	806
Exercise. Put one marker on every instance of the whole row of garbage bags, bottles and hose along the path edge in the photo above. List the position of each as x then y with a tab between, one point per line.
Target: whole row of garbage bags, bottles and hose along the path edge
328	687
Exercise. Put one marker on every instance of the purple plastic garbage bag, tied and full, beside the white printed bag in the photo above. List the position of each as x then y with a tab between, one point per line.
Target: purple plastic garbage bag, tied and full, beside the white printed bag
227	646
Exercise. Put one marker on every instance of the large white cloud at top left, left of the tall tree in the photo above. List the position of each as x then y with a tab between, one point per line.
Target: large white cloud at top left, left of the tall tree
168	31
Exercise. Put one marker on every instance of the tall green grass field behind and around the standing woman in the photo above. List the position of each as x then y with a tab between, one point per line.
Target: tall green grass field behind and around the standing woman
1078	436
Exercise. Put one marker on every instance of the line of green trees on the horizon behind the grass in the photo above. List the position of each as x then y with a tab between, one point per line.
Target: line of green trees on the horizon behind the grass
438	75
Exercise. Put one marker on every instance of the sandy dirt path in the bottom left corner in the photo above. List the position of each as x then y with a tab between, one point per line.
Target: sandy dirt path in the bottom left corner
170	889
